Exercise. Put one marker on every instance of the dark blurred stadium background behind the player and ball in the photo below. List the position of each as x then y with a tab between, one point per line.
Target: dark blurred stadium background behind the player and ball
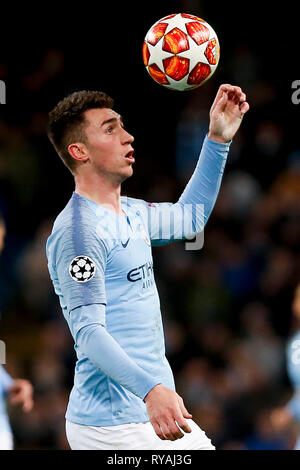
222	306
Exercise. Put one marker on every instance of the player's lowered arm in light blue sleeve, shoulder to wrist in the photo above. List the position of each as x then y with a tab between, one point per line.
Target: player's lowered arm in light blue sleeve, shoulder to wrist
85	304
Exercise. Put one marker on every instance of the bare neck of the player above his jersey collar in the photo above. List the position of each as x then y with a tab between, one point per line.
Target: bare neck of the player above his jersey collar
100	190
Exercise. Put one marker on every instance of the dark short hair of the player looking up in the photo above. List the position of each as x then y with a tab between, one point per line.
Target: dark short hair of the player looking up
66	121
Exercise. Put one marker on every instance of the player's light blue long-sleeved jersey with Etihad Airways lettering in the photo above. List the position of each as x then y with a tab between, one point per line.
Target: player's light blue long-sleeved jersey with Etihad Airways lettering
101	267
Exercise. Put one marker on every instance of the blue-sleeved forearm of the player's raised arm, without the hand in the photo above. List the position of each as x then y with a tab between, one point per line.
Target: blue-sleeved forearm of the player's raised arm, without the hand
204	185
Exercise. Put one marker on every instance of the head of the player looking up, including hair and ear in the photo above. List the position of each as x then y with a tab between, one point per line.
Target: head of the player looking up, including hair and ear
87	132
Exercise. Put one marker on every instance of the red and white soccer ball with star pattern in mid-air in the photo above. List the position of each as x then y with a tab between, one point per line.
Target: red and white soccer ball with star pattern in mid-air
181	51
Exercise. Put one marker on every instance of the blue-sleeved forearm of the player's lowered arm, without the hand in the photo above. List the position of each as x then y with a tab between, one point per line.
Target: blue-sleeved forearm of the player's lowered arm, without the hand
101	348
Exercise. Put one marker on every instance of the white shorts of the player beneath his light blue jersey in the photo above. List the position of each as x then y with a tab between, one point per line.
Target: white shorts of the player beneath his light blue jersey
133	436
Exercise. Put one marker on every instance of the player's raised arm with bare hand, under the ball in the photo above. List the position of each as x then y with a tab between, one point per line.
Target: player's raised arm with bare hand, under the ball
168	222
